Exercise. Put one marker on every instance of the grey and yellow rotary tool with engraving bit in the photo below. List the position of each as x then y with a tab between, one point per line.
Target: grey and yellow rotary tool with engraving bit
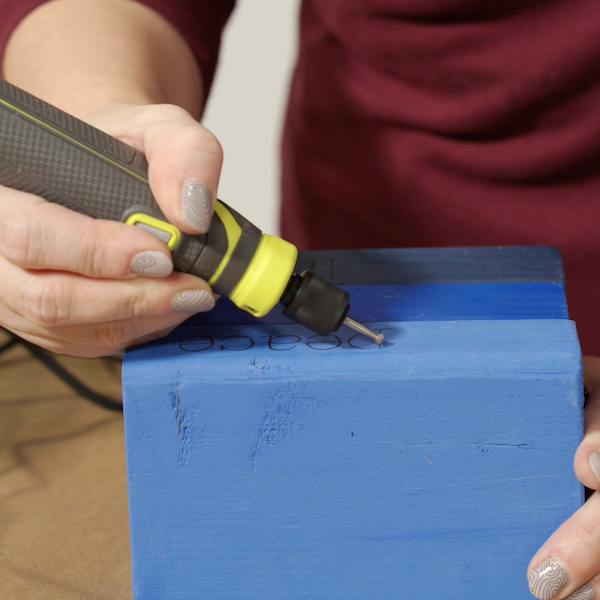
47	152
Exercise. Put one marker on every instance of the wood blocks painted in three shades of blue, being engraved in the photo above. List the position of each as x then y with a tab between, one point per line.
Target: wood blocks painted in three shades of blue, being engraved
267	463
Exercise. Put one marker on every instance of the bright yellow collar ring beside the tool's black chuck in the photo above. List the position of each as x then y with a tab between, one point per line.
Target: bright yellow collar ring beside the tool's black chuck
266	277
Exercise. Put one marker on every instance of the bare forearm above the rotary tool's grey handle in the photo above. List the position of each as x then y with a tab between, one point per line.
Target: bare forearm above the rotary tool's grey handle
82	55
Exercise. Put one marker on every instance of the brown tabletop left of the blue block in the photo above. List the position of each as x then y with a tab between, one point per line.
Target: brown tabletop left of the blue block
63	496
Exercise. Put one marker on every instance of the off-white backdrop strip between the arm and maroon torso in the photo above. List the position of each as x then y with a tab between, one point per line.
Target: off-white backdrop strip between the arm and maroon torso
247	103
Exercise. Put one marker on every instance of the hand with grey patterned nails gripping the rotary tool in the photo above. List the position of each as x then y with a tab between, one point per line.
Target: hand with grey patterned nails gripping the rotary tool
86	287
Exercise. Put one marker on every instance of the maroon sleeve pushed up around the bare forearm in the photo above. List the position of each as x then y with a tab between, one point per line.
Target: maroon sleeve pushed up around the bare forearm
200	23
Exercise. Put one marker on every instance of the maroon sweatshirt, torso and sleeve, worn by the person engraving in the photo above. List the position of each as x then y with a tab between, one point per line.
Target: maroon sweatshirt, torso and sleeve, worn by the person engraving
435	123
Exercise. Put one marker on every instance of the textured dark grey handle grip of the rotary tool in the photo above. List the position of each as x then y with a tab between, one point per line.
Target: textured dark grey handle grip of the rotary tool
46	152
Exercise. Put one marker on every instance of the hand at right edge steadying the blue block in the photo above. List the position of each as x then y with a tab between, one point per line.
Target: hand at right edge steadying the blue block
568	564
